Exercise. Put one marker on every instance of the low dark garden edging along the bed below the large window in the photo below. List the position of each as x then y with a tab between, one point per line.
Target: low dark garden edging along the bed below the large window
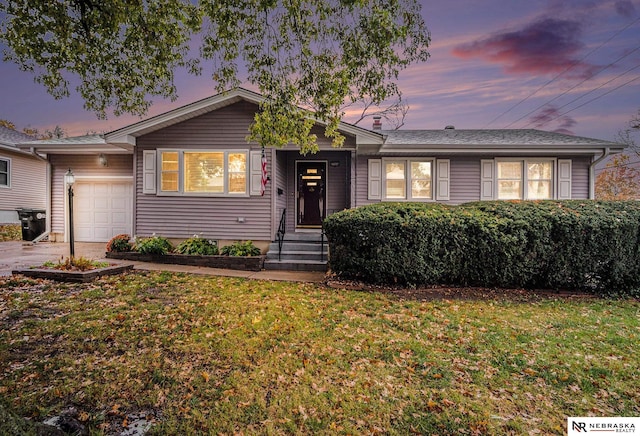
243	263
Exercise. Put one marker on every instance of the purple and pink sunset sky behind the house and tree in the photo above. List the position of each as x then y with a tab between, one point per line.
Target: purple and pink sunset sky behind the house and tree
560	65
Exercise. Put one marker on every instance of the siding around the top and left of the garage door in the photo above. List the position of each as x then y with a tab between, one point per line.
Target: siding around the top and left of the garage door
81	166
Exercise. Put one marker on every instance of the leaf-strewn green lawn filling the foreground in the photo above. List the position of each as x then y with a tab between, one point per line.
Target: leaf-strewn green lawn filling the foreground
223	355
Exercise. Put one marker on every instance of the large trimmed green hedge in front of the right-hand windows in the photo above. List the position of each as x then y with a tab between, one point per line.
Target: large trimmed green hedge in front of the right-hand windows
583	245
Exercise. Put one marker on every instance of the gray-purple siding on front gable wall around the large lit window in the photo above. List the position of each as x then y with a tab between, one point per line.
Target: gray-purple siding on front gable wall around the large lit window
212	217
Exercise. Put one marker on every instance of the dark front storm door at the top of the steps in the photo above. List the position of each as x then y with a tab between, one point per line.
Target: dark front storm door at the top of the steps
311	189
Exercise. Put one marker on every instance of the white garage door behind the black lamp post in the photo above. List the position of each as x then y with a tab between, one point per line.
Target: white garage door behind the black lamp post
102	210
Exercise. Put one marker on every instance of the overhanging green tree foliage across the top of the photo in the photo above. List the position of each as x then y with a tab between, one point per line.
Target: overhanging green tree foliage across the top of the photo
307	55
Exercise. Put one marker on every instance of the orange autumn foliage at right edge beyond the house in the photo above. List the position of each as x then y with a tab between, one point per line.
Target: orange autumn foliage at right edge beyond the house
618	180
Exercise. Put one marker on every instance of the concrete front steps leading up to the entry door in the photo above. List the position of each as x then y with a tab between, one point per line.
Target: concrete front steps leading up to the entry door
300	252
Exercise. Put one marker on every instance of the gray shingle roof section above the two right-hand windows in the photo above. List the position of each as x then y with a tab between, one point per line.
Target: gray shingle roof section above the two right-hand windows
486	137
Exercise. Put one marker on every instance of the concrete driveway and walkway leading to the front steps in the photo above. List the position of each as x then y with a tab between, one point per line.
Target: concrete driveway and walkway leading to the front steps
19	254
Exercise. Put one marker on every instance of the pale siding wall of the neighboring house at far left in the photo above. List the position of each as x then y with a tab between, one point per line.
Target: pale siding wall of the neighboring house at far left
28	183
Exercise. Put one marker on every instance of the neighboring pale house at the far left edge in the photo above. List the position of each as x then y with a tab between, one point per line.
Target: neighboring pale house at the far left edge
23	177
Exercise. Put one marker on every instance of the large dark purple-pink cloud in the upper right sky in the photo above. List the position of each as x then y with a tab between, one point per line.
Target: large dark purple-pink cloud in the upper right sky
548	45
